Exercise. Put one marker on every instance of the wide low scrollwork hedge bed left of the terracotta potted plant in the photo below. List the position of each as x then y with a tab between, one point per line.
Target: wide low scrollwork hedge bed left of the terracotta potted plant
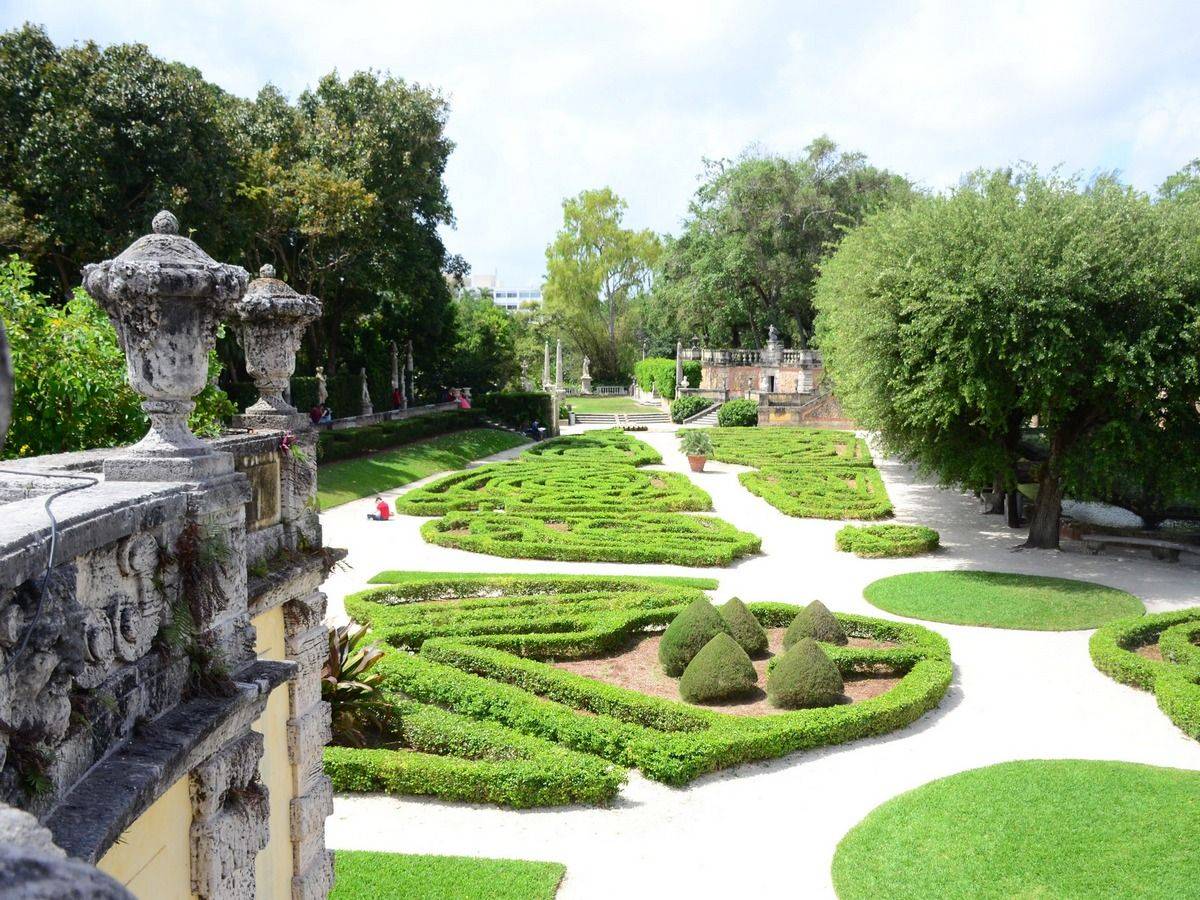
579	499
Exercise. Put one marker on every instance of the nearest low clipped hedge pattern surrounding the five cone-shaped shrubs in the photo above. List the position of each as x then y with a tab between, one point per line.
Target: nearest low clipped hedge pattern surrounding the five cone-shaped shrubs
475	650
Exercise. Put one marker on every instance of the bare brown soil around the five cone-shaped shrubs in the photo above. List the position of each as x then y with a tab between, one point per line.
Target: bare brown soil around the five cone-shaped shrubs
638	669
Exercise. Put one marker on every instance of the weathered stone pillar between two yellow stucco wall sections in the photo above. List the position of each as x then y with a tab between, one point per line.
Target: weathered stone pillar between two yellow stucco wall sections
230	820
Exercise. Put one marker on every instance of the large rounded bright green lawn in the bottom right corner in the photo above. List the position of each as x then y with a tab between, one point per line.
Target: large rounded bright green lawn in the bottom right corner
1036	829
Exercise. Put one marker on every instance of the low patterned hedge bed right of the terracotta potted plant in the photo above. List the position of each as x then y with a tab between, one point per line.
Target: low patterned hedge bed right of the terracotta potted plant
809	473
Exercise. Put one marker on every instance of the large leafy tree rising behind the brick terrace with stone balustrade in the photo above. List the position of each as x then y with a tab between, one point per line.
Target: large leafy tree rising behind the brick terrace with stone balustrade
748	255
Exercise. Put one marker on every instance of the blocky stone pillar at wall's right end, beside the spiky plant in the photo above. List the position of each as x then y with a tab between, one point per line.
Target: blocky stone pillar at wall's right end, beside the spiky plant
309	730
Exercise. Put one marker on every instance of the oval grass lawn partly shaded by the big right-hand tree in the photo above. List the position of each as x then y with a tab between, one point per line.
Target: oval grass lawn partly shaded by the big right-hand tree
999	601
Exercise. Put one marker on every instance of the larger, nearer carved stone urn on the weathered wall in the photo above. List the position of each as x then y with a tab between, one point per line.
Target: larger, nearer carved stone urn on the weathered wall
166	298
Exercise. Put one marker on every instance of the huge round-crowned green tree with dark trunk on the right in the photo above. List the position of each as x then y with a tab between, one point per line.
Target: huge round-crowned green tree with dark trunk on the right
952	323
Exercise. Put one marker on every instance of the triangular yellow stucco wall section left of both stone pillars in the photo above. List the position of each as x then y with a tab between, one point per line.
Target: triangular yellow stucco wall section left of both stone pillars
153	857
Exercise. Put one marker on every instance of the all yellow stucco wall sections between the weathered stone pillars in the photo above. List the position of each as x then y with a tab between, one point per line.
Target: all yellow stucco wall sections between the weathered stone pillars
153	857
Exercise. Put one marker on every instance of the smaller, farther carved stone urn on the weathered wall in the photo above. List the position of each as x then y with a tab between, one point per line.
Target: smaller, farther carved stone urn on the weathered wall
271	322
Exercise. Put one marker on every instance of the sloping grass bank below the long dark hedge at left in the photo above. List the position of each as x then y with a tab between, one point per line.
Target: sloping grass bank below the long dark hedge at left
351	479
